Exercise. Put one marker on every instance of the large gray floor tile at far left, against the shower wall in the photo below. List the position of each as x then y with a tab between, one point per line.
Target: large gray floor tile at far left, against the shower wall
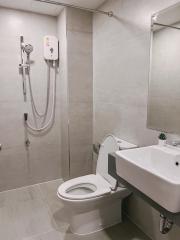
25	213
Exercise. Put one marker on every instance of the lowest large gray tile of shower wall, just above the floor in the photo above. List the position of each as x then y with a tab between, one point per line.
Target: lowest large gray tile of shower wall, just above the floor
20	167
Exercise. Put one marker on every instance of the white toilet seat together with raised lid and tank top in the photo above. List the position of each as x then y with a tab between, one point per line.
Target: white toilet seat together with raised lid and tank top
94	185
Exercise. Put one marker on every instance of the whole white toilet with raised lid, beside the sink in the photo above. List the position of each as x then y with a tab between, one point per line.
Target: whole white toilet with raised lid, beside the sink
93	202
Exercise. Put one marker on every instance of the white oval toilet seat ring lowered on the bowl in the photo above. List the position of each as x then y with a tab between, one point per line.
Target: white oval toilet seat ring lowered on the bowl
92	186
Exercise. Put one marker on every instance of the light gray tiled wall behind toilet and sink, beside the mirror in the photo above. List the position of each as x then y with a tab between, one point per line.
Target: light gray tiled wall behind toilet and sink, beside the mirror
121	66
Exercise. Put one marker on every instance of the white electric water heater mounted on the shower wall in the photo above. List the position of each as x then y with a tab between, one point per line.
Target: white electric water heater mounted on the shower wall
51	48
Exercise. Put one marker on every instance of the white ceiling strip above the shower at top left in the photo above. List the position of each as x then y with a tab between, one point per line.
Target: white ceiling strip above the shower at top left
45	8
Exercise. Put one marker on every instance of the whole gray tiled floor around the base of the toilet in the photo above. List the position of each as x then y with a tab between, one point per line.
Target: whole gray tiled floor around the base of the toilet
35	213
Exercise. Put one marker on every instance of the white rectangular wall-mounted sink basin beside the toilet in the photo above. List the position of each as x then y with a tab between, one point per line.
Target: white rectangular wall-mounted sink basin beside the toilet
155	171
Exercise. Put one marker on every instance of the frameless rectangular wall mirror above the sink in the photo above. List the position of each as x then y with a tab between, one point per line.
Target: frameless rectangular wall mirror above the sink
164	84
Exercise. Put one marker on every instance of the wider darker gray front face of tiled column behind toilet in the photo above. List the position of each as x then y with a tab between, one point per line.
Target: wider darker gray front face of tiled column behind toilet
80	80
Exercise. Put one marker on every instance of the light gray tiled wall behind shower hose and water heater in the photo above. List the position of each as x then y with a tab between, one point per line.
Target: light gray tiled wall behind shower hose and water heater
40	162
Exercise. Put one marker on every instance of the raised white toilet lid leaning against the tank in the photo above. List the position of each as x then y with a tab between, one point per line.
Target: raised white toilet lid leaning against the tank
109	145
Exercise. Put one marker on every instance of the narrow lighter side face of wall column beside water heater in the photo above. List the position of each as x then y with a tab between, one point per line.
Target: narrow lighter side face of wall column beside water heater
62	29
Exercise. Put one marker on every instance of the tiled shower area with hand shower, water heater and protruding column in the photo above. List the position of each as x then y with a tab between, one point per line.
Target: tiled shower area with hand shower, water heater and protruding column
46	122
